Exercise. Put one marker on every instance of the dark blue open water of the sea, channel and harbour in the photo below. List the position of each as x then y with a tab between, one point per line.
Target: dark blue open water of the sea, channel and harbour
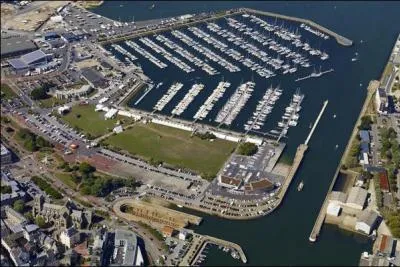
282	237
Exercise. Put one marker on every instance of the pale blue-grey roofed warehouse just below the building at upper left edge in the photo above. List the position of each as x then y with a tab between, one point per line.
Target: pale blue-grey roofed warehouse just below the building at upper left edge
30	61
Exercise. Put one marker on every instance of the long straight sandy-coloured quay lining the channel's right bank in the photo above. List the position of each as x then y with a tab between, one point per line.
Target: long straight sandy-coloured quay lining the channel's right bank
372	87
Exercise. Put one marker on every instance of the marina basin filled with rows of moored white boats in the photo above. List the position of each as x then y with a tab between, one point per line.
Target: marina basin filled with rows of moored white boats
259	47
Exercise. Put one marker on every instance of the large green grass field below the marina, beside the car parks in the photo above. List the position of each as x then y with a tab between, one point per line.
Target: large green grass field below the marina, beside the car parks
173	146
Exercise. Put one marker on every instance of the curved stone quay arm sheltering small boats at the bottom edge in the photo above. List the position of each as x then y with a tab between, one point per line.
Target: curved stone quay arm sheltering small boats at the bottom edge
200	242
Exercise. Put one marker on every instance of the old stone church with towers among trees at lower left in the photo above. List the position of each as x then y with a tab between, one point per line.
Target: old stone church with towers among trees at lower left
63	216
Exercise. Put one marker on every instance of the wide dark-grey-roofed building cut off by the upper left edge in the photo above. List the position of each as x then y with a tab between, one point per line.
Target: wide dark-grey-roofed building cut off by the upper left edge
13	46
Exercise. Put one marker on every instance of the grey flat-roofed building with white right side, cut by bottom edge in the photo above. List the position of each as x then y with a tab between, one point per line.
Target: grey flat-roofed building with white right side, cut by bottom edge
126	250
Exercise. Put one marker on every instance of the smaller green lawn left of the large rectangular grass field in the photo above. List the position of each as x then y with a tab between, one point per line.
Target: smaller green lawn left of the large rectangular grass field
90	121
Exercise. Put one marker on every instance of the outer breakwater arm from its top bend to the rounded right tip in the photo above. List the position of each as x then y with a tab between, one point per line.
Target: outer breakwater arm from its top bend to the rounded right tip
340	39
